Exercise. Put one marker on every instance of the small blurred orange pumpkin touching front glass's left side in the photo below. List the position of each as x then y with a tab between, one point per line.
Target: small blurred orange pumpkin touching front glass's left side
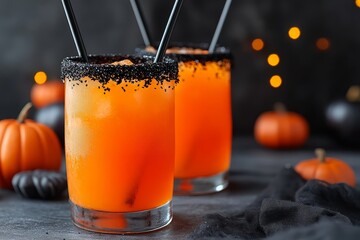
47	93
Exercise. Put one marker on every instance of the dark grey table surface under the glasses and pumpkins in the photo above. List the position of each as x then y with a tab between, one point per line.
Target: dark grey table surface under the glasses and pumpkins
251	170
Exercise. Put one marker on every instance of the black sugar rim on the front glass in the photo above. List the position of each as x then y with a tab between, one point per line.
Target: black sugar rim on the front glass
99	68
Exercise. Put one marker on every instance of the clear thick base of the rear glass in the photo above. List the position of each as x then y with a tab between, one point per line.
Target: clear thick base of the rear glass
201	185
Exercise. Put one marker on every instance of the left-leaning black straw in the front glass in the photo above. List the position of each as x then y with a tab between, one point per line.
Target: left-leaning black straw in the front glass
75	31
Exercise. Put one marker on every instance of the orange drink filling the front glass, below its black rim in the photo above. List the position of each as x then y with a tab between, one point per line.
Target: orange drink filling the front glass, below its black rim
119	145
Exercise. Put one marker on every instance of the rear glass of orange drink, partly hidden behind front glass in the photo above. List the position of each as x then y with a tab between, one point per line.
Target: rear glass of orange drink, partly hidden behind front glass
203	120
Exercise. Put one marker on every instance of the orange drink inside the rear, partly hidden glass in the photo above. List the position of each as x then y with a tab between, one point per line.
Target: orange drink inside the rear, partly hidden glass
203	123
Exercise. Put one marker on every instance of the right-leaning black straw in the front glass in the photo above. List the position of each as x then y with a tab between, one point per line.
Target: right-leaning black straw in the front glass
168	30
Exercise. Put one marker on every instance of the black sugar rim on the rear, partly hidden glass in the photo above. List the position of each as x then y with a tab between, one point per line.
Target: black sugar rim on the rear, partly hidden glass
220	53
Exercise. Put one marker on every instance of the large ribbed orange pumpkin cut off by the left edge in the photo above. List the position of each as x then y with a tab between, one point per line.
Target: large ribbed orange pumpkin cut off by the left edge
26	145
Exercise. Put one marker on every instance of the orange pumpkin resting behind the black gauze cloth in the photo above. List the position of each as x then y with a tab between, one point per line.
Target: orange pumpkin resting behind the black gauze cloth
327	169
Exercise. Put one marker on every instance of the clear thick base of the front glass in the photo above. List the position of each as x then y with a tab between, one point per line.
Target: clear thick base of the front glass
119	222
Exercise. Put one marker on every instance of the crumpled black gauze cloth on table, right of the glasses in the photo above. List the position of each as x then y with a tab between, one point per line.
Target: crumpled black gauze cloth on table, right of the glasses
288	202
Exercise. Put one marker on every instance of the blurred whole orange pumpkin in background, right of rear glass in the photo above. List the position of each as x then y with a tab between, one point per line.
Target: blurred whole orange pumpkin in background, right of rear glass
281	129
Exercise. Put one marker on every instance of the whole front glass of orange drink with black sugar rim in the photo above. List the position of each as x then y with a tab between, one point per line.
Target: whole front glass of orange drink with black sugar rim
119	142
